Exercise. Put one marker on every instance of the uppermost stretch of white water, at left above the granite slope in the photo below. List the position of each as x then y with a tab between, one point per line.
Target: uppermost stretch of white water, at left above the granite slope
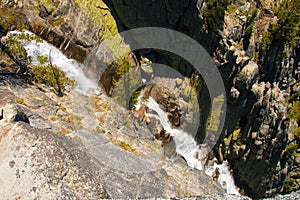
69	66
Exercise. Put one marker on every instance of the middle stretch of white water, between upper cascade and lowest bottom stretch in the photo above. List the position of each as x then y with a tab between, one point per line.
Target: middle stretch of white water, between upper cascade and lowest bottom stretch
186	146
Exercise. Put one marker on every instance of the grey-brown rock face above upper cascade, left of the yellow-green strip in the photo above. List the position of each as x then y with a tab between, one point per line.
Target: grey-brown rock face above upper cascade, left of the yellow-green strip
63	24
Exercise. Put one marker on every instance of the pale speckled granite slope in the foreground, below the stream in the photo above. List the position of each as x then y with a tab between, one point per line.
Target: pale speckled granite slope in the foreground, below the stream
85	147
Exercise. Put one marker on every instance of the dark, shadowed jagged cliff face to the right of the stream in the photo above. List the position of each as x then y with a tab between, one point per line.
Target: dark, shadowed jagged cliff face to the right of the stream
257	92
